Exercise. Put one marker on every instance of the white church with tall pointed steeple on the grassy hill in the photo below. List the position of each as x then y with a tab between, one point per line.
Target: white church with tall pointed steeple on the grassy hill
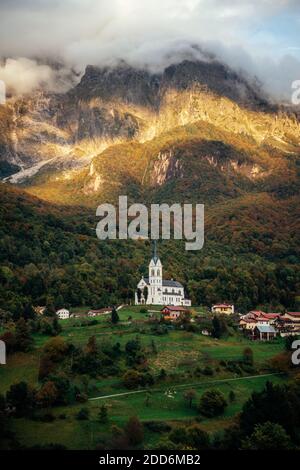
159	290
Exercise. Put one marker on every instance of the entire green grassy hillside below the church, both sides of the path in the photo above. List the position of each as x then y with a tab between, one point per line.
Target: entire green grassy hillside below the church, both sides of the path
178	352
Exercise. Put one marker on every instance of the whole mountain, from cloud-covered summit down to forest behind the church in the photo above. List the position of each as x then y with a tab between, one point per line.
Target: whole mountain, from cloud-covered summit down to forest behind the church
197	132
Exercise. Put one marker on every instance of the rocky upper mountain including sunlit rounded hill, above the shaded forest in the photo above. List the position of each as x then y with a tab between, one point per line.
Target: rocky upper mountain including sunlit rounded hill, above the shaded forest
48	141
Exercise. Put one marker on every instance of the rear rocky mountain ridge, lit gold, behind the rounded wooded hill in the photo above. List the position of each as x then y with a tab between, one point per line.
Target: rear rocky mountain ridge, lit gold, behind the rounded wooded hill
55	133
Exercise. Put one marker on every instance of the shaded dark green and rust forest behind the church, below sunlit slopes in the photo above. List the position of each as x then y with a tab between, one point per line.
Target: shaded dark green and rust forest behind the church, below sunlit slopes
50	255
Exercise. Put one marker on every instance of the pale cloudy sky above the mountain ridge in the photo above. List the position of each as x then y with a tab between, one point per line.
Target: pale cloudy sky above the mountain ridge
261	36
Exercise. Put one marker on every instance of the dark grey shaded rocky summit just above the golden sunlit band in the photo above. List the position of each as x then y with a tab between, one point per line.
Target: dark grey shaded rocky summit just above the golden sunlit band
143	87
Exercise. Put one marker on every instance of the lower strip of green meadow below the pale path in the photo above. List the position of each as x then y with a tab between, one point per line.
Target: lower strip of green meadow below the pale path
76	434
